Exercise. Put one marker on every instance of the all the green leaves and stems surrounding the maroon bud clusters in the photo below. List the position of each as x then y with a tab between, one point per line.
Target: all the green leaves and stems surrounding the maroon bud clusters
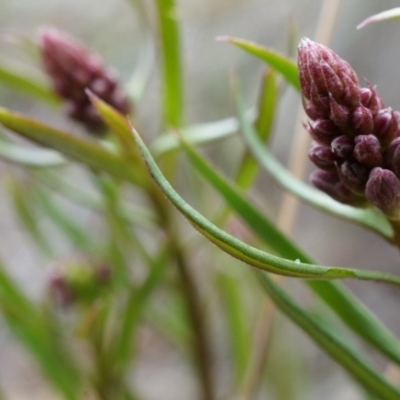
138	269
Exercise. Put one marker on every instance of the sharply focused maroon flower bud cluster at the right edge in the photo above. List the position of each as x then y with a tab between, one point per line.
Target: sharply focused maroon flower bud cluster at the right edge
356	139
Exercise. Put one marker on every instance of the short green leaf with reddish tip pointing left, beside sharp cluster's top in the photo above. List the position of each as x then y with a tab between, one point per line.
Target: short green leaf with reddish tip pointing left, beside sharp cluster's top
282	64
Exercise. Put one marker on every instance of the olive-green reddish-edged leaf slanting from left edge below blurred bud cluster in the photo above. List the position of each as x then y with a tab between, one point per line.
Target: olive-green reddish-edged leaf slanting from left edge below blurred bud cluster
81	150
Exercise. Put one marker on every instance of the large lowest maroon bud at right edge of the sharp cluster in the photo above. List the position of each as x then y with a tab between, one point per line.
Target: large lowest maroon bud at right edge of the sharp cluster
383	191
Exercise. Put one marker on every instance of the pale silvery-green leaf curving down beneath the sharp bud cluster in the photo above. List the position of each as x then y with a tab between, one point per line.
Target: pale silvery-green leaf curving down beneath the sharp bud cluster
370	218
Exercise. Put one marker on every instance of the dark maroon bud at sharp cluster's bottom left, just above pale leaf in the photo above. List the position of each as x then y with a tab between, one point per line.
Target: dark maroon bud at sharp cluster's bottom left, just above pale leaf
330	183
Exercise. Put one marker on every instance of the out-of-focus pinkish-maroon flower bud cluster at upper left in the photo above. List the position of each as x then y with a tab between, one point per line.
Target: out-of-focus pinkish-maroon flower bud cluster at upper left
73	69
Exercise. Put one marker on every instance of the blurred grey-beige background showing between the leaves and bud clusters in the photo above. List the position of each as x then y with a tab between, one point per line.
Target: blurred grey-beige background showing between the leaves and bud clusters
113	29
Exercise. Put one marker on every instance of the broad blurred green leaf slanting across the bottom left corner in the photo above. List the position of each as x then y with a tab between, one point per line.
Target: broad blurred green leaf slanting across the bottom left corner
29	326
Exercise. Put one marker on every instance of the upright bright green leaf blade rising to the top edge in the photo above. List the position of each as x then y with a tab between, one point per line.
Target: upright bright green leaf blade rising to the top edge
172	73
